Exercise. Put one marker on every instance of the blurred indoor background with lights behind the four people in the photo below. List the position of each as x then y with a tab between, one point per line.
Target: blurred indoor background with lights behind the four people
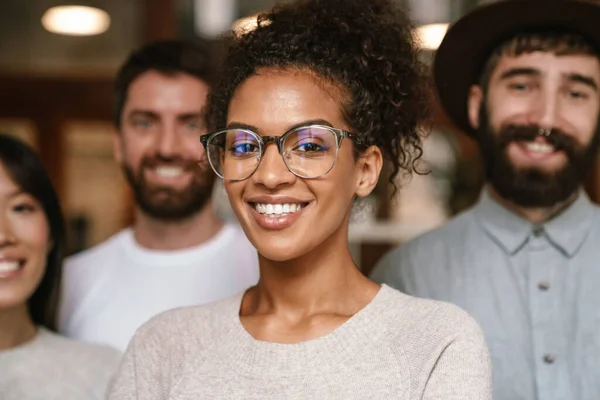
56	74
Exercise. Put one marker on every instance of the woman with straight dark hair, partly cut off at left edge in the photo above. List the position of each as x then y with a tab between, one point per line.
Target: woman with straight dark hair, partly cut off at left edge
35	362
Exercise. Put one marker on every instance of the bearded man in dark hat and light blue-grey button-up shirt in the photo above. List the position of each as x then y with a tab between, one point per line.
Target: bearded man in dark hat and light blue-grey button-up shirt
522	77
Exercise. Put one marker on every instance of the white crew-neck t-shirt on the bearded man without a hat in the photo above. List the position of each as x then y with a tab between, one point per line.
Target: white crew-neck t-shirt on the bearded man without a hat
111	289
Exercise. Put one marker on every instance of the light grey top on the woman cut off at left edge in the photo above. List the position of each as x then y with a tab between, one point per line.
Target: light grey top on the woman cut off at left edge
51	367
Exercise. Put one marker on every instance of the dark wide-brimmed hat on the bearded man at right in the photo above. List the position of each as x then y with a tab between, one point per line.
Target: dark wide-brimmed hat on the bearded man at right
470	41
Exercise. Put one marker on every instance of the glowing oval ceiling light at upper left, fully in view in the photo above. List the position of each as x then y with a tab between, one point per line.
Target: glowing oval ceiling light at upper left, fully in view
76	20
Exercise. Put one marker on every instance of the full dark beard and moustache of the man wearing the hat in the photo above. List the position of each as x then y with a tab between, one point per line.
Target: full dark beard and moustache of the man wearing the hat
533	187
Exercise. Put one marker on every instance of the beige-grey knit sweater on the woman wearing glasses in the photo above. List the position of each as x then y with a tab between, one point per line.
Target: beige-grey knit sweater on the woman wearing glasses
397	347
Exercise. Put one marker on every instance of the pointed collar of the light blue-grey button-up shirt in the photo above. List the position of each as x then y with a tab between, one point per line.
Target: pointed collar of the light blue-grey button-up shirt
566	231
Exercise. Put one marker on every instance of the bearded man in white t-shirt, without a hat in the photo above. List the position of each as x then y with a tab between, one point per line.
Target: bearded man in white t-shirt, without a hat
178	252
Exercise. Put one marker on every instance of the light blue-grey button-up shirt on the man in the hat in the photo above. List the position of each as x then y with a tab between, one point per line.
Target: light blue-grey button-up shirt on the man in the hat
535	291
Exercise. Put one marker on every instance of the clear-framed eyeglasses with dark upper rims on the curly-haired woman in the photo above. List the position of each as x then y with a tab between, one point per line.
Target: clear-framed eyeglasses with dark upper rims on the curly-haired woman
308	151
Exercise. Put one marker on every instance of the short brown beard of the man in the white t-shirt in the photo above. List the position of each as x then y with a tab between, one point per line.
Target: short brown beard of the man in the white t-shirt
166	203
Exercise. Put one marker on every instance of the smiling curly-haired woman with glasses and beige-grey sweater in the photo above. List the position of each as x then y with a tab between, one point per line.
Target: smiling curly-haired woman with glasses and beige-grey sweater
308	105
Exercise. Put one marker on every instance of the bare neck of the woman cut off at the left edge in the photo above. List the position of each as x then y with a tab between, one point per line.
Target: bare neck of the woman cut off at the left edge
16	327
